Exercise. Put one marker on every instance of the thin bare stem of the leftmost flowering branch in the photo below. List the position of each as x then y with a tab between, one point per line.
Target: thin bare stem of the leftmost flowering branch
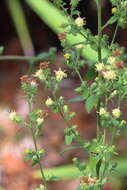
36	148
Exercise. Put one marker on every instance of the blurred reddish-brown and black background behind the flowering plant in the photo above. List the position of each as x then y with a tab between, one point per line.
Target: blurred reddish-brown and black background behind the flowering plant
22	32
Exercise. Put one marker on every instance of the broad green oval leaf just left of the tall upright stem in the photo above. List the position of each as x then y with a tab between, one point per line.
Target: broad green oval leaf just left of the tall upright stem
91	102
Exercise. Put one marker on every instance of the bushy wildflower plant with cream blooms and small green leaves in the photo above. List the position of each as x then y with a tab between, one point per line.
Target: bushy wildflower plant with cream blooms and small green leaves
107	87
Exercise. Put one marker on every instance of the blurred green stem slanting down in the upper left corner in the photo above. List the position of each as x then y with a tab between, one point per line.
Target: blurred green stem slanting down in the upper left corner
19	20
